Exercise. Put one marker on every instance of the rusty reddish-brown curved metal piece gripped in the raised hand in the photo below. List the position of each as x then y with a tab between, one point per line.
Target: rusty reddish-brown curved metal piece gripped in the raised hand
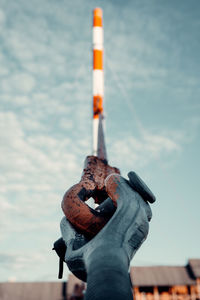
92	184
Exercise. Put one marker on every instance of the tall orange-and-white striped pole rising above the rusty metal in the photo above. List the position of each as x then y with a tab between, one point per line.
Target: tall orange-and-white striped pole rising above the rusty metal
98	78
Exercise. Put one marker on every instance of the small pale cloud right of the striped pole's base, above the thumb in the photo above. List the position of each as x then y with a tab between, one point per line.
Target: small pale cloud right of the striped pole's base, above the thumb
149	148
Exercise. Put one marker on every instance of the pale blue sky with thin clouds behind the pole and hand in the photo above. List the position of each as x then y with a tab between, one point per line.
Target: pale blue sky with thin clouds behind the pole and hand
152	109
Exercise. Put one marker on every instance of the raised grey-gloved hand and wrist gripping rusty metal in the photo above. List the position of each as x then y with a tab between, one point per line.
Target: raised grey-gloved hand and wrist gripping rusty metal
104	260
